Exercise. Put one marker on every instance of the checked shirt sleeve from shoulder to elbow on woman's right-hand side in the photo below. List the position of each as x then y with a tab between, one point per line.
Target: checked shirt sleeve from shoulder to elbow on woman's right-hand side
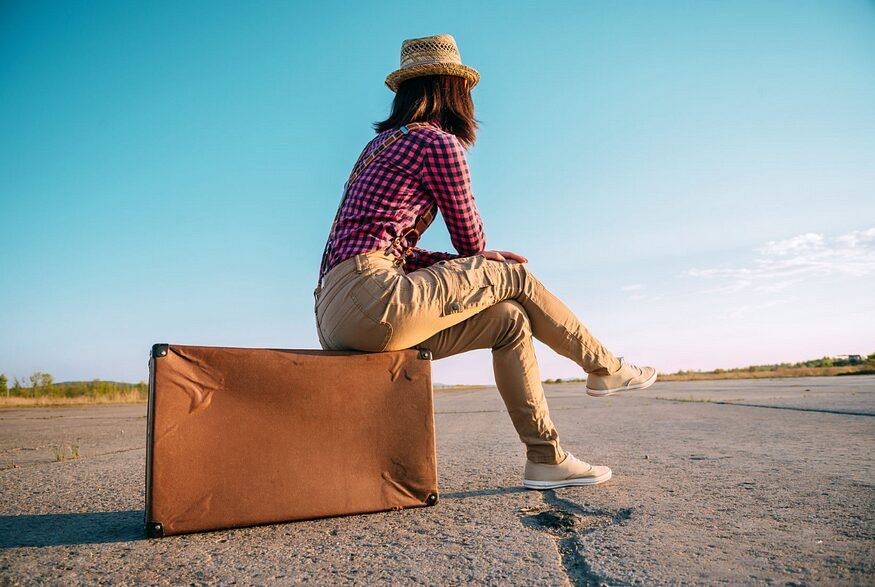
445	174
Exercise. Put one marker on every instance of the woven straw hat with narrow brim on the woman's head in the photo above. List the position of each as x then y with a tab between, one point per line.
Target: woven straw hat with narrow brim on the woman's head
437	55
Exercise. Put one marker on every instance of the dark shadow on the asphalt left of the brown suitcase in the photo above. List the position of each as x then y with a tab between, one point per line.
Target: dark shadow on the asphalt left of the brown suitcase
70	529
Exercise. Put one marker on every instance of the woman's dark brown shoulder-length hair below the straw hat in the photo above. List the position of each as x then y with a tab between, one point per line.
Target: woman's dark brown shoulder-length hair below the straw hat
444	98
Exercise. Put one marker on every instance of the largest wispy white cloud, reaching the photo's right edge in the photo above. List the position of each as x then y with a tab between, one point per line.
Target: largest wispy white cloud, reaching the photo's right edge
783	263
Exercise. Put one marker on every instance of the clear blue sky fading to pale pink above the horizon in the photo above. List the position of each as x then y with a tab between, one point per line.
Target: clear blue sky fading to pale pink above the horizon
695	179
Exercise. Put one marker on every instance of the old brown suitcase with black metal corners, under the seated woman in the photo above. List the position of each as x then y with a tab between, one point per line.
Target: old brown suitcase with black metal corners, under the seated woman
239	437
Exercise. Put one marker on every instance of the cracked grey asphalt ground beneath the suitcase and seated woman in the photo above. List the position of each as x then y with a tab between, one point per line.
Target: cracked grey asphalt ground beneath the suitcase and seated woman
744	482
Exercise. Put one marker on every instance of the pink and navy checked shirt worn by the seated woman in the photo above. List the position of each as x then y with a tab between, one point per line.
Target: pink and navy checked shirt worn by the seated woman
425	166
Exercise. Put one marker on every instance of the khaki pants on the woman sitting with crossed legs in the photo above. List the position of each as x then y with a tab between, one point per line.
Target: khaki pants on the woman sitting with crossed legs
367	303
